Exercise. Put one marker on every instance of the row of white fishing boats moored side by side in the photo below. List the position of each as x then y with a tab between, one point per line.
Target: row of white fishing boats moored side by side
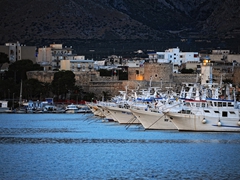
208	107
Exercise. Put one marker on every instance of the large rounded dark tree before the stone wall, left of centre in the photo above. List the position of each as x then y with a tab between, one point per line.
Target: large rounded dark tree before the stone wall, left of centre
63	82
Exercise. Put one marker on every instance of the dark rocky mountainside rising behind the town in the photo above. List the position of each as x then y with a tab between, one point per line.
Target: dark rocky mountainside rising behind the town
38	21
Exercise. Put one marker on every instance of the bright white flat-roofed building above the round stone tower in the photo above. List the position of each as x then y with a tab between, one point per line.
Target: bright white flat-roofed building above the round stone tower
174	56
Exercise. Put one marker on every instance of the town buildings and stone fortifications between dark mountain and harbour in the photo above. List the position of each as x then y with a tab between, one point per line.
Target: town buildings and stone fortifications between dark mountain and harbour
162	66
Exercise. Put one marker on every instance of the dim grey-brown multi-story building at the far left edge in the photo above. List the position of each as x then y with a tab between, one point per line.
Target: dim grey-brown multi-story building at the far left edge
17	51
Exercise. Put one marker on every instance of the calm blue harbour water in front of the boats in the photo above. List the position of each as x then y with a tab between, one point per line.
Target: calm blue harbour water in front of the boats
81	146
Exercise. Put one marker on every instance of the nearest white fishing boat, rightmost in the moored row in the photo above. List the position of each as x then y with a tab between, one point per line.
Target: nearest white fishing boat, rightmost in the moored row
207	115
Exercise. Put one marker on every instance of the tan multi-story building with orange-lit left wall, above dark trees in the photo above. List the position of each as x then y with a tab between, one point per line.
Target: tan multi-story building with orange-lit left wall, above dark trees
51	56
